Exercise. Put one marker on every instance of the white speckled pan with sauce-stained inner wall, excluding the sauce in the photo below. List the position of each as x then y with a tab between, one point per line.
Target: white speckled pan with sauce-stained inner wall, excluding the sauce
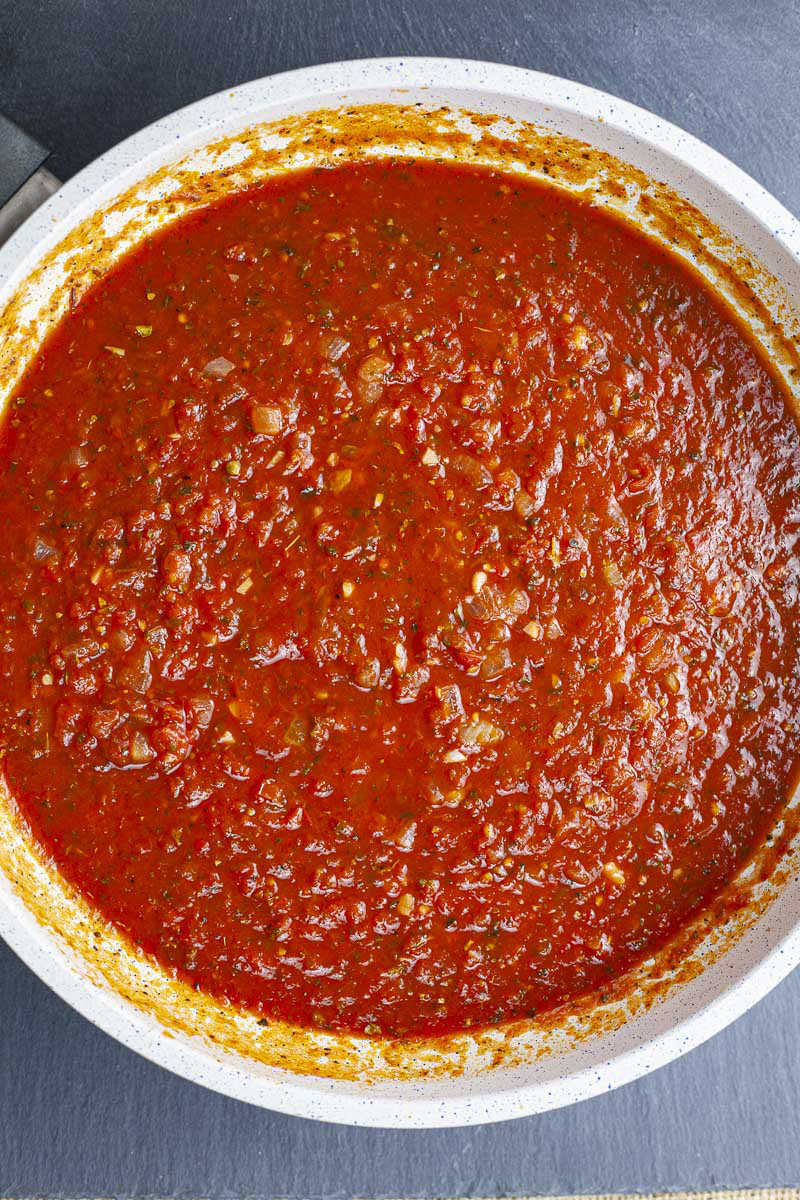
678	189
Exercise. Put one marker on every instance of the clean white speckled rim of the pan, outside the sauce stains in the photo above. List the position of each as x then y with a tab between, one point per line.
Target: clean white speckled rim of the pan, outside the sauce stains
772	949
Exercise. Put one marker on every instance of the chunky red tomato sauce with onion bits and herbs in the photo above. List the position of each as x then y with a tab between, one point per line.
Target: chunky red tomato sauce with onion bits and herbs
399	598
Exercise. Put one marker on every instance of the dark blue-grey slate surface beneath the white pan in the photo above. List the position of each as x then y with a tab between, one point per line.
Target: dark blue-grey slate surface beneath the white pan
81	1117
